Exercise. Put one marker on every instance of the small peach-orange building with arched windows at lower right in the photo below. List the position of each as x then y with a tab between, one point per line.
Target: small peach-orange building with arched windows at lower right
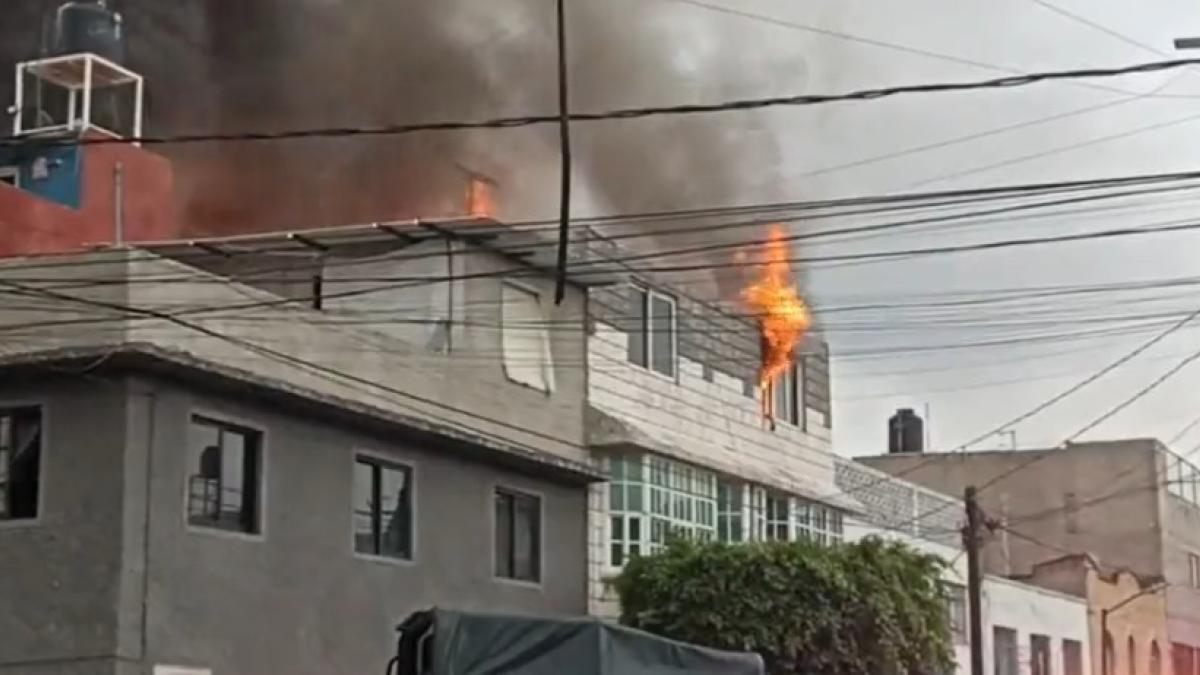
1127	619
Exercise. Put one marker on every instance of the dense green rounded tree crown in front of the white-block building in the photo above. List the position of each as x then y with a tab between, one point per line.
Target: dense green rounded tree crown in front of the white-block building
868	608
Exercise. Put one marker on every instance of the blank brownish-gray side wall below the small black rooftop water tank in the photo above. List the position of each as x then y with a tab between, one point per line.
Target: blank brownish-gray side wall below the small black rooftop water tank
1121	528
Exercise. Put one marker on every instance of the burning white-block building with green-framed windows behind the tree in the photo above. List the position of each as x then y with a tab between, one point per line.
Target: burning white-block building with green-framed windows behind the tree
676	415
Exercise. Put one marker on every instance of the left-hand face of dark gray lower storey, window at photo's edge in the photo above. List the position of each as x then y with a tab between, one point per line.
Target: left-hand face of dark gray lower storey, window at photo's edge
59	575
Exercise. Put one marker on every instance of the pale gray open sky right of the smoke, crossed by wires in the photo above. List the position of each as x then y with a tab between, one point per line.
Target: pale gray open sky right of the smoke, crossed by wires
973	390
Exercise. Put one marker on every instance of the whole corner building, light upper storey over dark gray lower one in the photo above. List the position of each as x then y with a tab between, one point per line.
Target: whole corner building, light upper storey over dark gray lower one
261	470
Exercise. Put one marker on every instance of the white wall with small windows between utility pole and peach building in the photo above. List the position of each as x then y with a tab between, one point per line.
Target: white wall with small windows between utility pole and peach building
1033	611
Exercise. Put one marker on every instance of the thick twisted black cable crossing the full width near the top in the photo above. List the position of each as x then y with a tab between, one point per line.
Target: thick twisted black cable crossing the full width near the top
1007	82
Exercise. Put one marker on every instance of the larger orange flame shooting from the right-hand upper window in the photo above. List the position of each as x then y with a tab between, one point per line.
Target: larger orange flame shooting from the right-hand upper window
783	316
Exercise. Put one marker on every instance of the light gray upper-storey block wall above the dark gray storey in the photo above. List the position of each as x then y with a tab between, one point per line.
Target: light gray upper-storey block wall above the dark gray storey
465	391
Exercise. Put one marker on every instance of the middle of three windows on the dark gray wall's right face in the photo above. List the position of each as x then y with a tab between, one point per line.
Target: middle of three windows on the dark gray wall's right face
383	509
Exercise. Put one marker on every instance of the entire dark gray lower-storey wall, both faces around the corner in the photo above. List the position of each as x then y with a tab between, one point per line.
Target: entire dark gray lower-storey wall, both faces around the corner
112	576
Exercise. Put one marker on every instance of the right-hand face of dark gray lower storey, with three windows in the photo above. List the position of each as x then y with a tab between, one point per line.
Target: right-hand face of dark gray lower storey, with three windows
298	600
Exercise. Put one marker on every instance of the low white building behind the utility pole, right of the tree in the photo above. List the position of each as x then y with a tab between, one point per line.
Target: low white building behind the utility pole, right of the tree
1028	629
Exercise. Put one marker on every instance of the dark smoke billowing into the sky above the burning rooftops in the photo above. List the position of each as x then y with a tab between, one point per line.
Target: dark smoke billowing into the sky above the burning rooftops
271	65
